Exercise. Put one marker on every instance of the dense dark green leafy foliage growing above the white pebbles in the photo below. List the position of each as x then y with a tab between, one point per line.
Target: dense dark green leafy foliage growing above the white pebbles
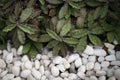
60	24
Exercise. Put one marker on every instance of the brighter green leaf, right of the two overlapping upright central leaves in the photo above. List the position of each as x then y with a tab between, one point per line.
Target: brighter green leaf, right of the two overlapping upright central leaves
66	28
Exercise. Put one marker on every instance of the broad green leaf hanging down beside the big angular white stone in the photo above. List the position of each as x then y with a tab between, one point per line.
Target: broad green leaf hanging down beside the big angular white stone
82	44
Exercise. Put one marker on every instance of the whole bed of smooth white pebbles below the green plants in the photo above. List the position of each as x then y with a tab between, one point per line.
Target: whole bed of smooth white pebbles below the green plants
93	64
